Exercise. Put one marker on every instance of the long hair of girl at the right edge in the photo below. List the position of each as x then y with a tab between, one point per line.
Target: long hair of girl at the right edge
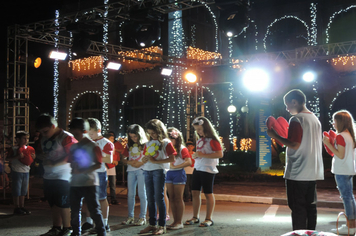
345	121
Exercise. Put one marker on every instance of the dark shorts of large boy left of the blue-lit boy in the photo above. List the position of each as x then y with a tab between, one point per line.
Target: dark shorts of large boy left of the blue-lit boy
57	192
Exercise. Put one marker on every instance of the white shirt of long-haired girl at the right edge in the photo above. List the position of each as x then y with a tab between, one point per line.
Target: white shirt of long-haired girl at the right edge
345	166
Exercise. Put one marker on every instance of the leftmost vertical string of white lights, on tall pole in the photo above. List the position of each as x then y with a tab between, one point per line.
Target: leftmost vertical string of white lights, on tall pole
56	71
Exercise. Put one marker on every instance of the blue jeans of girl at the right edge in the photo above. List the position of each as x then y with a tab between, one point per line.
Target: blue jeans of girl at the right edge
345	186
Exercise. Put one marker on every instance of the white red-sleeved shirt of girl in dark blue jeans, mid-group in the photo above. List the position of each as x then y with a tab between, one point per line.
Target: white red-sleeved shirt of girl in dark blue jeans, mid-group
152	149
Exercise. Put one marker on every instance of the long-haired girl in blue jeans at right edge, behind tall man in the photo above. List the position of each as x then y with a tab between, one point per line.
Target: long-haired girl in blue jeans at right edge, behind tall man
343	166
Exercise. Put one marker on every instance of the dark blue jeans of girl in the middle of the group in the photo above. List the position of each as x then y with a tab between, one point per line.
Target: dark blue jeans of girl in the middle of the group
155	180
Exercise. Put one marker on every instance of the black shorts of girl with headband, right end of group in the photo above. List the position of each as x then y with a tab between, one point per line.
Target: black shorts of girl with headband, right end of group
202	179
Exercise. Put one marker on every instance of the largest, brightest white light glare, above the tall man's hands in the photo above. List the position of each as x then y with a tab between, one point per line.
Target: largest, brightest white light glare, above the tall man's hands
256	79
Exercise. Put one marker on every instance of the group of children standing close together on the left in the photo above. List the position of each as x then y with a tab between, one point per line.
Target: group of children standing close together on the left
79	165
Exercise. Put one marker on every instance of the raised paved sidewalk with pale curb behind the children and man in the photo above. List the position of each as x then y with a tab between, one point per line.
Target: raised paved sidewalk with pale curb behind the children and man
268	192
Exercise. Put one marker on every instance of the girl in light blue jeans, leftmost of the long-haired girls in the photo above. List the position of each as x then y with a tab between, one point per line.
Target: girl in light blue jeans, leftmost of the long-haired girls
133	154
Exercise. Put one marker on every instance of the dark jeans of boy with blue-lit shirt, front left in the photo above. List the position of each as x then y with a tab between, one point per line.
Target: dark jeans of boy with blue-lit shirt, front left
91	196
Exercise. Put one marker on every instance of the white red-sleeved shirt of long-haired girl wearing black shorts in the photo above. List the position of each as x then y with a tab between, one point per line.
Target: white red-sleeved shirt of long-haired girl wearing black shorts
207	146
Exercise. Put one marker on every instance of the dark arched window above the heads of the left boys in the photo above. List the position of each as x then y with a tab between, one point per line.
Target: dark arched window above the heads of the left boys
89	105
